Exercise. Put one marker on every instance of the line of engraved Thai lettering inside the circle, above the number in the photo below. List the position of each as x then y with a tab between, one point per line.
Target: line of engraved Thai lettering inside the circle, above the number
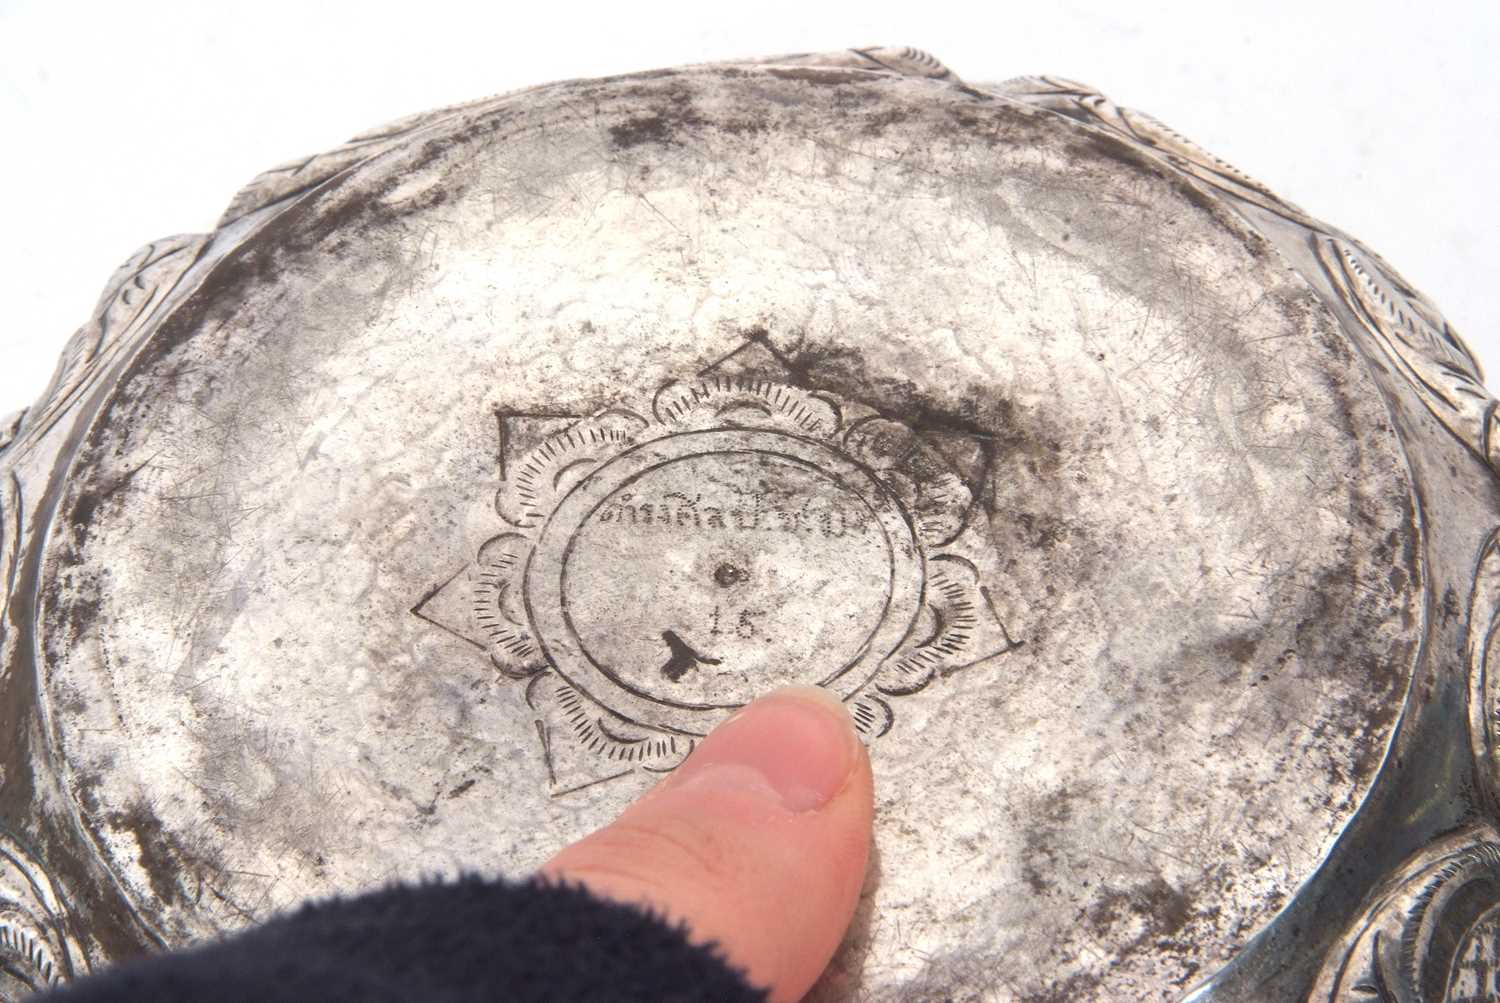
751	512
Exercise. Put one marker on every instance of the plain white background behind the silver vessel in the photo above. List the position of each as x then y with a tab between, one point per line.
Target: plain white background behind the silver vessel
128	122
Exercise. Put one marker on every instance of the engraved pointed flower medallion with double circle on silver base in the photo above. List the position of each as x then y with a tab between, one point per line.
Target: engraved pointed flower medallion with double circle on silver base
802	536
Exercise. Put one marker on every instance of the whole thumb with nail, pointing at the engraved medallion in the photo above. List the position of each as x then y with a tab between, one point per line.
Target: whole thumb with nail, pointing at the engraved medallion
758	842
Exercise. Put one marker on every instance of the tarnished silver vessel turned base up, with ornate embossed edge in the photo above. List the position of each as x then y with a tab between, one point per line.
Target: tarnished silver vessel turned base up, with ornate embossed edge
421	515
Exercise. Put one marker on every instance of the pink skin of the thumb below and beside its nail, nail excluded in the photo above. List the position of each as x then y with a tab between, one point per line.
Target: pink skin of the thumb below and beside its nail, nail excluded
775	890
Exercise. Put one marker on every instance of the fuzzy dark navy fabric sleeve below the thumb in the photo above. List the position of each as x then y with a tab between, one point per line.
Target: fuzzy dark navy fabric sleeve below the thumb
455	942
